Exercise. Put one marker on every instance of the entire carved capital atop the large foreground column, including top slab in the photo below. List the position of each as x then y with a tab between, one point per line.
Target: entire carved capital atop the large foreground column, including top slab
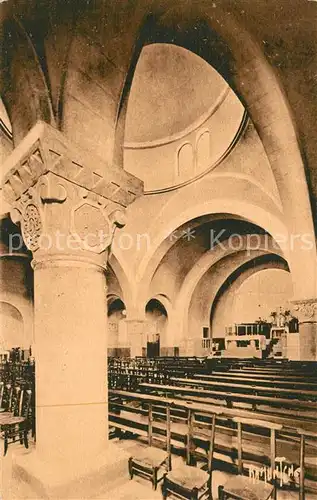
67	201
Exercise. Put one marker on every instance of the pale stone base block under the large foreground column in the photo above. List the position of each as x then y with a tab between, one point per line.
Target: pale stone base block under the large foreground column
34	479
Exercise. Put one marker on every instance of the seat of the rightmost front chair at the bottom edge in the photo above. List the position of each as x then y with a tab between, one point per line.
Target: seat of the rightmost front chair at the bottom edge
248	489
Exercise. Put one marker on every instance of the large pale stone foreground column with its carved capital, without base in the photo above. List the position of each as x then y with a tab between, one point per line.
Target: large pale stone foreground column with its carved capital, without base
68	206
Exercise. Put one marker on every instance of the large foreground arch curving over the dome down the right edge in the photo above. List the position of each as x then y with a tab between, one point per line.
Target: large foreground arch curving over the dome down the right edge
243	65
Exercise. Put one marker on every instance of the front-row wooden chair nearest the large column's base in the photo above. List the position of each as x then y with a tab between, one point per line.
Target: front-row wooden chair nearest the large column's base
152	463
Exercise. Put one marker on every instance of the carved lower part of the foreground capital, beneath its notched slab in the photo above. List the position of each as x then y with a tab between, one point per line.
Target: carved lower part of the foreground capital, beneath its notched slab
86	224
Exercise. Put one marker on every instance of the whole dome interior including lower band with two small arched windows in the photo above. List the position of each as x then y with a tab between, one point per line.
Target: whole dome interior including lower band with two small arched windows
182	118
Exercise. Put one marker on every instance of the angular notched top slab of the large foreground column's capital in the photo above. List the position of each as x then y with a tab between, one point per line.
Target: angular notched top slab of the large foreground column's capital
45	149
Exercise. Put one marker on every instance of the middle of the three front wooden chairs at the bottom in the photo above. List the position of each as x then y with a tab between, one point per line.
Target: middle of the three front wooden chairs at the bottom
189	481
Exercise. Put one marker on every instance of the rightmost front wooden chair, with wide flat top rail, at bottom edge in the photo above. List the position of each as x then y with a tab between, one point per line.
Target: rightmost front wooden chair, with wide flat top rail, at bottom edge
246	487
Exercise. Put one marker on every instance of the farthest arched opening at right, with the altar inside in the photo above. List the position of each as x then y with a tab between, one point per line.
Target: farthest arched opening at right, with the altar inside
242	310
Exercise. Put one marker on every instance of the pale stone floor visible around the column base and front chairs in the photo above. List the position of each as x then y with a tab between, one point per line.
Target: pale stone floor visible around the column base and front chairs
123	488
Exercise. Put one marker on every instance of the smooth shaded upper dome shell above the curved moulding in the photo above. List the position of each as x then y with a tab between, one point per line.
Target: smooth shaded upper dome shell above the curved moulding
172	89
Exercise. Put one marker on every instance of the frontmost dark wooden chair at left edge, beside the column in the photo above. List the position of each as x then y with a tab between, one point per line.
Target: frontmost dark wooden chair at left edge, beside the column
17	424
